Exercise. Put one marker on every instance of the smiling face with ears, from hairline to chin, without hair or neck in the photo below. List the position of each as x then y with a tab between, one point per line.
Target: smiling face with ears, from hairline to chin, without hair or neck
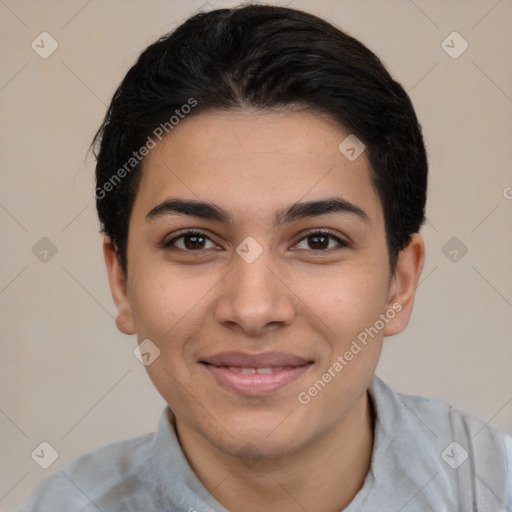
257	262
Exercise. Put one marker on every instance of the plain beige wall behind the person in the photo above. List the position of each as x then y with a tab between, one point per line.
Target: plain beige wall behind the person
70	378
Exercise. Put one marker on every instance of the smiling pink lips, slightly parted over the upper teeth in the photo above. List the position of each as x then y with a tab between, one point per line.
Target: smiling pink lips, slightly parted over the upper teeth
255	374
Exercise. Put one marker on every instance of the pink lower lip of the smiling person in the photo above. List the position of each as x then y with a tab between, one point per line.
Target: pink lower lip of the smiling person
253	384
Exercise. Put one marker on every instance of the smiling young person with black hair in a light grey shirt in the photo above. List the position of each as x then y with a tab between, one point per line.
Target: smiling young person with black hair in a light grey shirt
261	184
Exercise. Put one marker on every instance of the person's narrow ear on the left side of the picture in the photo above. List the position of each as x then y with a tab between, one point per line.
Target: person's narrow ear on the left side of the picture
124	319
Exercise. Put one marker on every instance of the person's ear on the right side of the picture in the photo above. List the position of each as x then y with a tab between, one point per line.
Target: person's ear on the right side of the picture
404	283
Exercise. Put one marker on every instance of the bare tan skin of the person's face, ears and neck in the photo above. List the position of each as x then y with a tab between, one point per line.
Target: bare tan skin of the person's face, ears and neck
267	452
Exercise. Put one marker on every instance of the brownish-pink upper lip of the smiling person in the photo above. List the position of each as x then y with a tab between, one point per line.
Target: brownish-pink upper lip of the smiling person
263	360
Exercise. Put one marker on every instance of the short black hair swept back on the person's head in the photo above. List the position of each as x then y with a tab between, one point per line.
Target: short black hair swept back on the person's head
262	57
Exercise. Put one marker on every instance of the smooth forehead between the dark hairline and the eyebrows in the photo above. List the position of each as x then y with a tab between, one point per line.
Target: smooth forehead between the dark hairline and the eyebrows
252	163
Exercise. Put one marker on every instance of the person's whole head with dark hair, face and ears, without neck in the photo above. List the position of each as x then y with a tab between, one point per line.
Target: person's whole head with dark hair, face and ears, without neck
299	164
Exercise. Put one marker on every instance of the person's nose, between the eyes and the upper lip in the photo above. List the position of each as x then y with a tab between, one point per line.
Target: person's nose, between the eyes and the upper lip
255	297
